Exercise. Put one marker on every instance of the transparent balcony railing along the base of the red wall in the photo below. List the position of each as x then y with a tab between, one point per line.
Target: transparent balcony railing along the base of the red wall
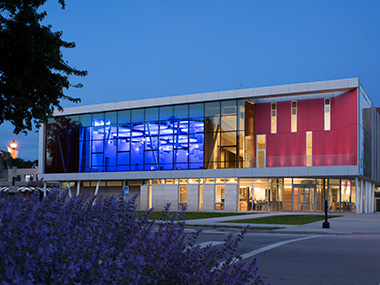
301	161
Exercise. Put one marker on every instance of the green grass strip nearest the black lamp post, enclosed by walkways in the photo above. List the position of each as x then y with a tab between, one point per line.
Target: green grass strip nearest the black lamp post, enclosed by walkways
286	219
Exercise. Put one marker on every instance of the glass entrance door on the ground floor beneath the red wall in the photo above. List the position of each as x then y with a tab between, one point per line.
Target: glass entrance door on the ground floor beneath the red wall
304	198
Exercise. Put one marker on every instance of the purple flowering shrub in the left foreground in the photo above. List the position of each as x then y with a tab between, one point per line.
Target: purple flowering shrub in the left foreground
75	241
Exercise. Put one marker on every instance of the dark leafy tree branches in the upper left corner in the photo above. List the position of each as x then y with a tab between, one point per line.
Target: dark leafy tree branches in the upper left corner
33	73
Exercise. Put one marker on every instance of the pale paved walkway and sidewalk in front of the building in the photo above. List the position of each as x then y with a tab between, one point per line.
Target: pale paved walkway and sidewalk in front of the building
350	223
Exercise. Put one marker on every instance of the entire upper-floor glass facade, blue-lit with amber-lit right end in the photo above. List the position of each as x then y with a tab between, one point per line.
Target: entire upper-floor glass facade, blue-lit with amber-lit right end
189	136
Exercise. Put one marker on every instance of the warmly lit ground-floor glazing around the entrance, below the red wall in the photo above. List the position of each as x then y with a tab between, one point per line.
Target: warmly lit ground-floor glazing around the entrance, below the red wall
296	194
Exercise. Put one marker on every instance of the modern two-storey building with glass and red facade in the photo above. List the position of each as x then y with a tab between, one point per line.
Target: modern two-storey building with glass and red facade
278	148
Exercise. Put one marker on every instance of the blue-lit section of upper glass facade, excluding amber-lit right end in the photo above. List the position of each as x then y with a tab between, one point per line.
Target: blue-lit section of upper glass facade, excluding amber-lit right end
150	139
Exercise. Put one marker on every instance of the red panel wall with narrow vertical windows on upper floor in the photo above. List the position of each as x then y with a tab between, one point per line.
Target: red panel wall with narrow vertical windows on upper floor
335	147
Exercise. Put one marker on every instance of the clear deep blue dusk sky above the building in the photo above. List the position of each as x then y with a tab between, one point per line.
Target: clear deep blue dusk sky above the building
145	49
